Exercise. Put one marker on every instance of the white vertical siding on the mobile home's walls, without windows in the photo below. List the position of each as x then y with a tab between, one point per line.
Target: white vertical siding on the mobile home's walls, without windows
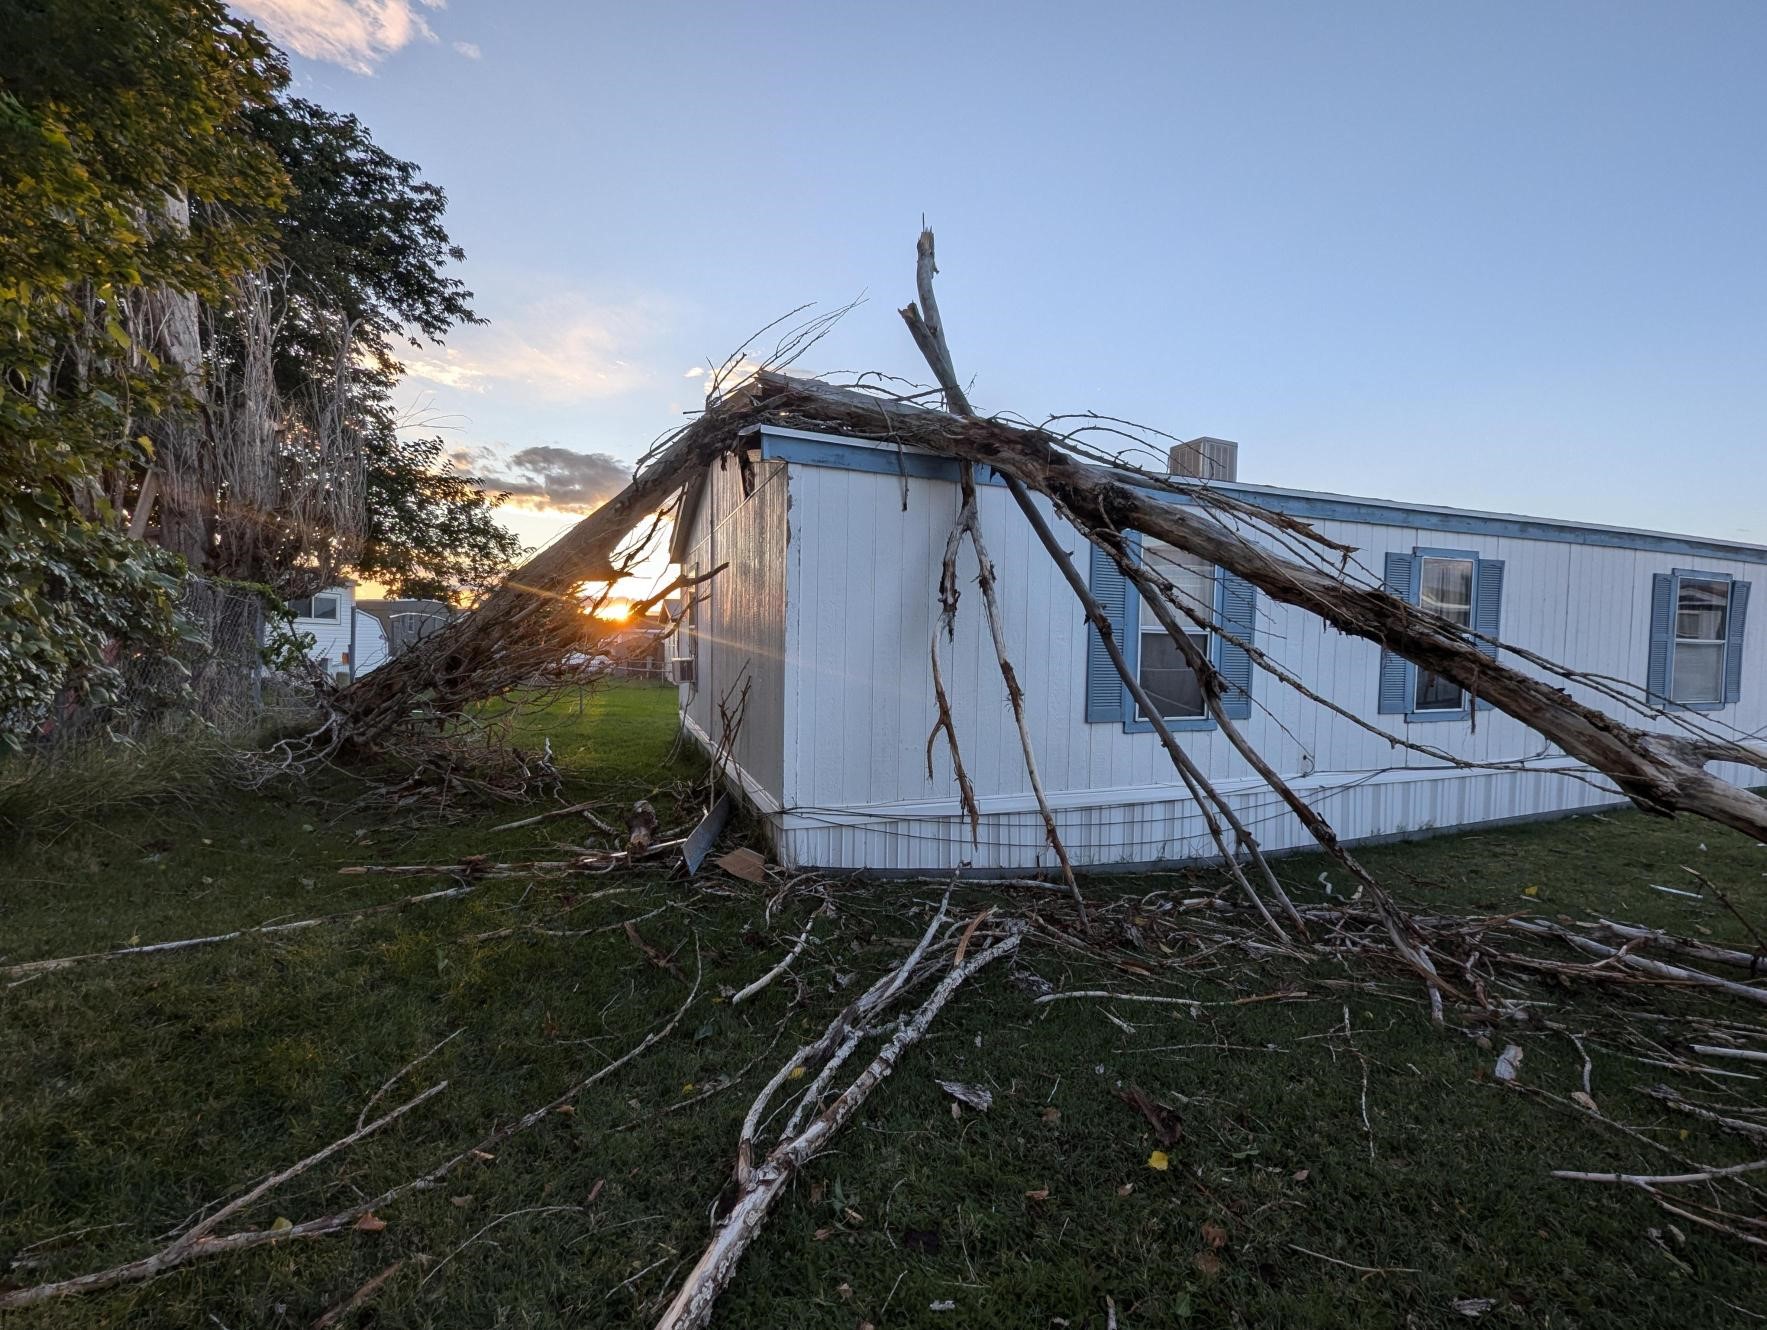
858	702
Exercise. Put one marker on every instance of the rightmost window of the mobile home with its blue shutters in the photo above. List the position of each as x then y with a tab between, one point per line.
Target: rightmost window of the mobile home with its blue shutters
1697	633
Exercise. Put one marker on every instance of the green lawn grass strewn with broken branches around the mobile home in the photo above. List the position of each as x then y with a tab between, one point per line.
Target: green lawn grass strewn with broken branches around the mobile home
142	1089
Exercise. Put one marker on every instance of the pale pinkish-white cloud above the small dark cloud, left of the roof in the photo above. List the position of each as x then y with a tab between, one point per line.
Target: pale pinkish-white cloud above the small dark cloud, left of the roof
563	351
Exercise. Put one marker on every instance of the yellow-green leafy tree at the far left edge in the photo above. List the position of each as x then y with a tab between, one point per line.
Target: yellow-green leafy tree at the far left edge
109	112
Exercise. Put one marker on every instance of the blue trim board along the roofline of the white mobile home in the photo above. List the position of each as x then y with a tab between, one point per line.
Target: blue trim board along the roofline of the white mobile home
810	450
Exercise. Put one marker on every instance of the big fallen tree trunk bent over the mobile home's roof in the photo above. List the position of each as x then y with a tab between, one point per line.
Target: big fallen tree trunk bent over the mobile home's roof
538	612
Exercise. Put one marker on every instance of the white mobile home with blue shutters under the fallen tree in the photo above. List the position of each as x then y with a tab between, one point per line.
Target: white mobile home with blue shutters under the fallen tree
808	661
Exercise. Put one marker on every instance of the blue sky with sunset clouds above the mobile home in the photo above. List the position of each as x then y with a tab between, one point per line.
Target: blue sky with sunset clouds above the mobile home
1501	257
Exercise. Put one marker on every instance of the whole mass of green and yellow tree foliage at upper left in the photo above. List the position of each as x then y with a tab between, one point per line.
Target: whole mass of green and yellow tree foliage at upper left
162	206
